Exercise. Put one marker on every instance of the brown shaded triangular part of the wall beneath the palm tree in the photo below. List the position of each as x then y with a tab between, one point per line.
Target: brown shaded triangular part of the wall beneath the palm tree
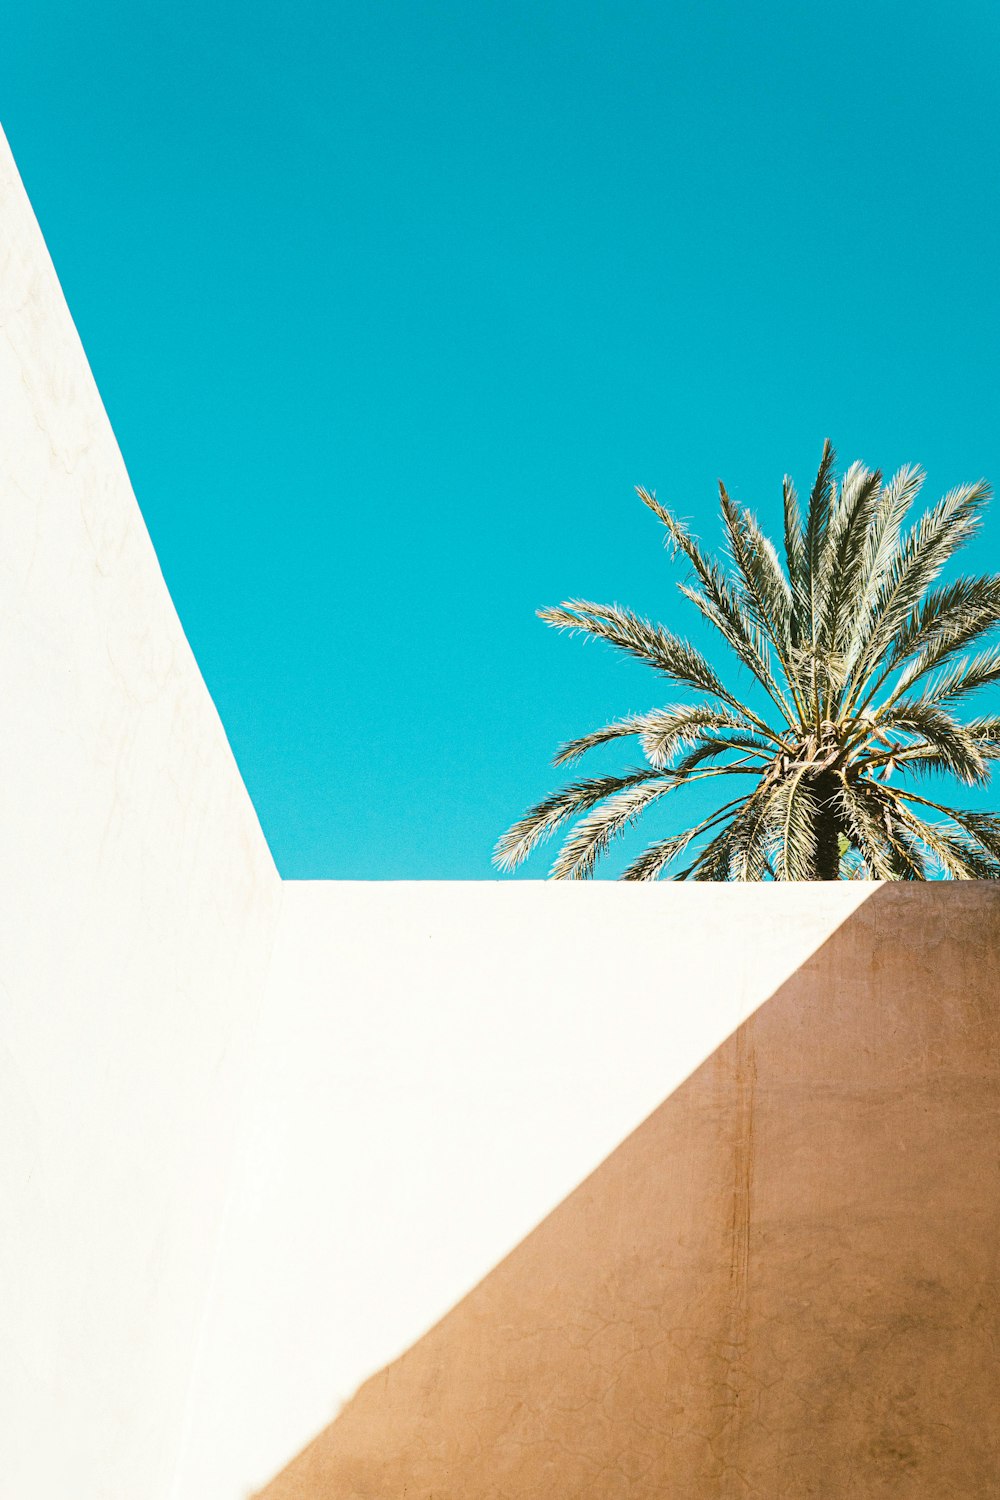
783	1285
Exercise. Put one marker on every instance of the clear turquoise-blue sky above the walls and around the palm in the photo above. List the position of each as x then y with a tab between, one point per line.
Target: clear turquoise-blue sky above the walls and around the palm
392	305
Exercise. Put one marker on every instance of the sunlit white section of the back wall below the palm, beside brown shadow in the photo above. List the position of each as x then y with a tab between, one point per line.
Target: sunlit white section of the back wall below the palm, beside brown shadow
442	1064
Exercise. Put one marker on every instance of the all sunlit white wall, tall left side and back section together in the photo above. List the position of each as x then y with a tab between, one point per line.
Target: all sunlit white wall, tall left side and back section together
223	1207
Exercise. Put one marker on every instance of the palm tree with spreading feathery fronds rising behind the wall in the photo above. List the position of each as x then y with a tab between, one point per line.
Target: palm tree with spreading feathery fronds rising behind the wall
864	659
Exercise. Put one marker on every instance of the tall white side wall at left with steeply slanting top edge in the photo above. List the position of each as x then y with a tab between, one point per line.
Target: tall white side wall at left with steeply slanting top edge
137	910
